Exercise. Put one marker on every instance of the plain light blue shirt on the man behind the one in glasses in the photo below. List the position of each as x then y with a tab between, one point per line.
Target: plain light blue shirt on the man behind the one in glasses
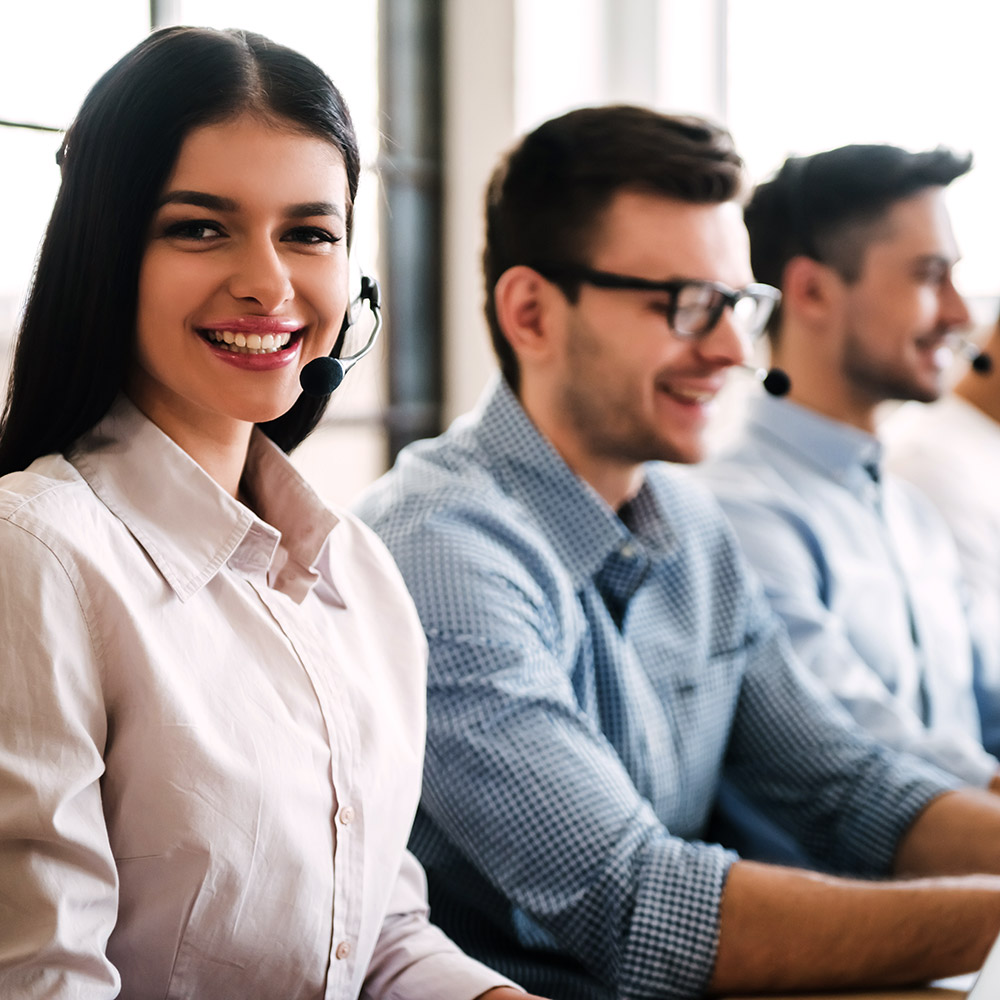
865	575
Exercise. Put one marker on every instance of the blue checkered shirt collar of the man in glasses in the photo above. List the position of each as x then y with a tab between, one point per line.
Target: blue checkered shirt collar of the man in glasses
578	523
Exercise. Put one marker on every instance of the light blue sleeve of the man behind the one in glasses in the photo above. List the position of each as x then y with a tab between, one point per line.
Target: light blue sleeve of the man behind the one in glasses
788	558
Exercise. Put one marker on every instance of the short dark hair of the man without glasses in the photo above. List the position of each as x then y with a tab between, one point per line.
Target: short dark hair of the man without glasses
830	206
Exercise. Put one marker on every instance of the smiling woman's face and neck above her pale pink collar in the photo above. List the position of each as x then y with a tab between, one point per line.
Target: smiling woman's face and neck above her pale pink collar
256	253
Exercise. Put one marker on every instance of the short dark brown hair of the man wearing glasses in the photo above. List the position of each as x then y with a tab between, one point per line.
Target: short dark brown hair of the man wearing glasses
545	197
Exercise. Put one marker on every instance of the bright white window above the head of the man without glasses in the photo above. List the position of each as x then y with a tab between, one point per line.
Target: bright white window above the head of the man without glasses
804	77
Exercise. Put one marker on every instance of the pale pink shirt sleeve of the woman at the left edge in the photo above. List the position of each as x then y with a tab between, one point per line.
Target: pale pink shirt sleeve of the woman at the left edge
58	902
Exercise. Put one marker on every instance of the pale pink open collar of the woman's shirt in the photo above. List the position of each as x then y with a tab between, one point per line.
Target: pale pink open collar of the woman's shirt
186	523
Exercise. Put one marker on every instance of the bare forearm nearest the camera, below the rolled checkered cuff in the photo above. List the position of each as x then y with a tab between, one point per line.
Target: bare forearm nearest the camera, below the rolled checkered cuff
786	929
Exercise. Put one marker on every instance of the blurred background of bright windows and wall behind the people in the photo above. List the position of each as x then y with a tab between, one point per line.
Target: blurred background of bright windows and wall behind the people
438	88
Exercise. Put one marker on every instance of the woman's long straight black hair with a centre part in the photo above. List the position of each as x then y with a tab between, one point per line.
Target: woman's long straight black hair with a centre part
76	339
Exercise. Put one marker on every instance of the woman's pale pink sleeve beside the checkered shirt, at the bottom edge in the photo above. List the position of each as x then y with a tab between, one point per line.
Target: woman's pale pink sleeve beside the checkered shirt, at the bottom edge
413	959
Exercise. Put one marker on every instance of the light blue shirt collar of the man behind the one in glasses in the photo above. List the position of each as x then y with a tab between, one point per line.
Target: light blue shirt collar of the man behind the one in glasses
840	451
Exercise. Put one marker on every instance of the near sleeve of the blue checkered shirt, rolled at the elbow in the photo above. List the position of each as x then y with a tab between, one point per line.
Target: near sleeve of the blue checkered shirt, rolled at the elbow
523	782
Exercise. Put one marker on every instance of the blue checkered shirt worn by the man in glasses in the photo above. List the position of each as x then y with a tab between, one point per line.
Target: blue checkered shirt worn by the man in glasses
590	683
